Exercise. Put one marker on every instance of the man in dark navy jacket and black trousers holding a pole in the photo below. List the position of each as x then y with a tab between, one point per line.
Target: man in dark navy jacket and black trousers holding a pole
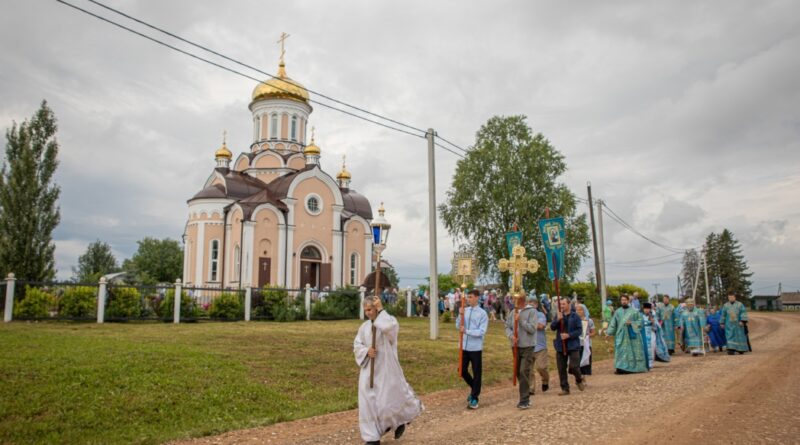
568	329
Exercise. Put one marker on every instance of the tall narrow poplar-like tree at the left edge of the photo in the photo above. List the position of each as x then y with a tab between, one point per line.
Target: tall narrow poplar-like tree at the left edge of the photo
28	198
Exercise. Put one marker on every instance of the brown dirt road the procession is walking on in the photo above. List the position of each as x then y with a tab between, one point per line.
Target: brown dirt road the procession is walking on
752	398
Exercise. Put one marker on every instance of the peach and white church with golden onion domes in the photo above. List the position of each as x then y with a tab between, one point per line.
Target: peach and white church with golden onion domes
271	216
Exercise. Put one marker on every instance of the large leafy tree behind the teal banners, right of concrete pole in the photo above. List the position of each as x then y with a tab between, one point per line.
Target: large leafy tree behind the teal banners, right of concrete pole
510	176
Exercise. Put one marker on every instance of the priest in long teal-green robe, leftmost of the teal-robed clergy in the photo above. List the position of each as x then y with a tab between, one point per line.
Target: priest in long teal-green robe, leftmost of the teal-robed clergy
626	328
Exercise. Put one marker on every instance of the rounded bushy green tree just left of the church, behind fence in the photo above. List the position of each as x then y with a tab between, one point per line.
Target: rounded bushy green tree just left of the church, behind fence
156	261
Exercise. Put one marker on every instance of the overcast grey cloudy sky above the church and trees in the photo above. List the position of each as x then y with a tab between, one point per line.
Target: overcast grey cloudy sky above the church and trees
685	116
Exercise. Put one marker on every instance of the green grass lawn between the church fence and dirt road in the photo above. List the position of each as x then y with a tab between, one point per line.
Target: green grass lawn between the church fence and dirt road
152	382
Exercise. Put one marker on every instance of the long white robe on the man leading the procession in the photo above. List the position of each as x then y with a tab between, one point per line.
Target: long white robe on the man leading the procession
391	402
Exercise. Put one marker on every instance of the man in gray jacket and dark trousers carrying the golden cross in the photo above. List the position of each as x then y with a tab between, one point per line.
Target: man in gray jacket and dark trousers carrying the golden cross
526	321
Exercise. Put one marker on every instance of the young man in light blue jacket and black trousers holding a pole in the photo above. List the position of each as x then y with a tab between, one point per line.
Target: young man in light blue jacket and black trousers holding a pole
476	322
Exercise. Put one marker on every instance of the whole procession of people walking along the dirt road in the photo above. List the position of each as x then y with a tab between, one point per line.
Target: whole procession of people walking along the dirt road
644	333
